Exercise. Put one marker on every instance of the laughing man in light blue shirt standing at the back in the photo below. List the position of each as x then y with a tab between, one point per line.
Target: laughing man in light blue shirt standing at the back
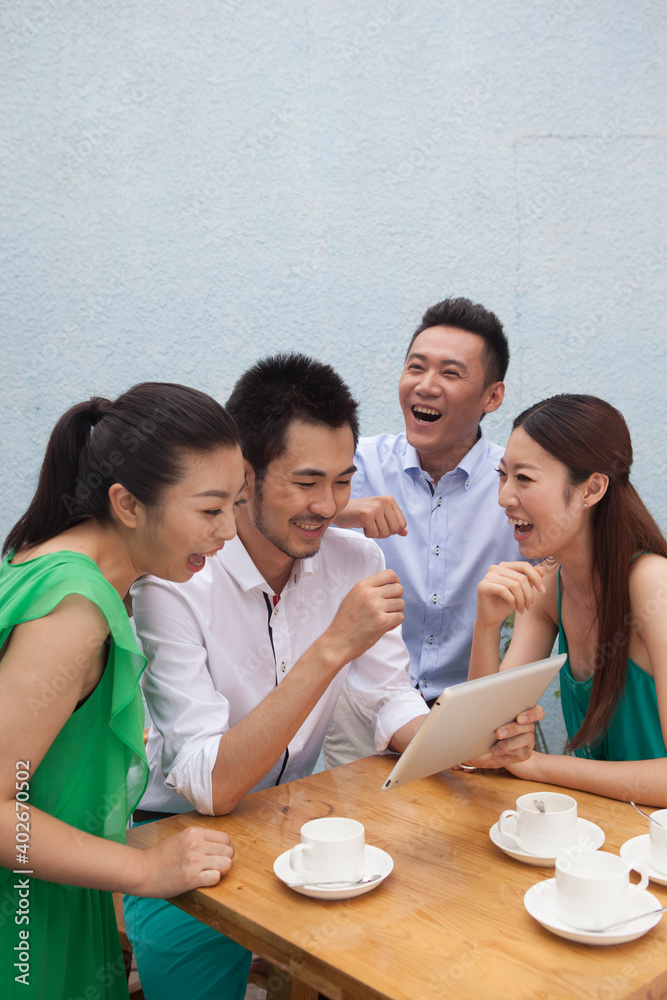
429	496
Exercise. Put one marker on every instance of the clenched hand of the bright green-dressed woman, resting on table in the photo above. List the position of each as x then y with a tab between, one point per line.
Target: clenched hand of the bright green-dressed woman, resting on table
192	858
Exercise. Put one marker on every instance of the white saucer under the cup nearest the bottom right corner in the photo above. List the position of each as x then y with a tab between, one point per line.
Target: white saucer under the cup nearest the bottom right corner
540	901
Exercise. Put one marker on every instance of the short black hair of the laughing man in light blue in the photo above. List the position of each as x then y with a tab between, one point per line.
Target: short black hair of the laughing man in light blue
474	318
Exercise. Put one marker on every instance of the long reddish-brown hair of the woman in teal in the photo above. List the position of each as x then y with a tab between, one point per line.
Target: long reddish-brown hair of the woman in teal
589	435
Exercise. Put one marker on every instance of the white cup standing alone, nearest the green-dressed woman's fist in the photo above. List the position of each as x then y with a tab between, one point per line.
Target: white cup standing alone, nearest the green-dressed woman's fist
331	850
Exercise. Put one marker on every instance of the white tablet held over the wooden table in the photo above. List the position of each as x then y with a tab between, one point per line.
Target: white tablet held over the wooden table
462	723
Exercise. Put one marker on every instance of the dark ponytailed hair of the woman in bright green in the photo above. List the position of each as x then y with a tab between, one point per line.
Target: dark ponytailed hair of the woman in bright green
138	441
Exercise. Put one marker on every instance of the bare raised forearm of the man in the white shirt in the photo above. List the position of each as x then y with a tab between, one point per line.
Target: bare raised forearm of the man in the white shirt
250	748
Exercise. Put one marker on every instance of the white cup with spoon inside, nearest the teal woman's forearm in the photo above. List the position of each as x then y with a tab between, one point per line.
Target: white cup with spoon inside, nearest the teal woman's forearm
543	834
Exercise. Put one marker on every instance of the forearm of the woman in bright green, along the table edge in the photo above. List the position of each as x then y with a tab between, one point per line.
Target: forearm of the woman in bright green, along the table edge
61	853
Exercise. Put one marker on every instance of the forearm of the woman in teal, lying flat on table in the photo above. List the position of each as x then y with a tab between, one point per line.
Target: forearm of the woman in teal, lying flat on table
642	781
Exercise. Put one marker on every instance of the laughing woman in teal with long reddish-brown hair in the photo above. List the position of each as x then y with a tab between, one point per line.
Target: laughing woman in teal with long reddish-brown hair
600	586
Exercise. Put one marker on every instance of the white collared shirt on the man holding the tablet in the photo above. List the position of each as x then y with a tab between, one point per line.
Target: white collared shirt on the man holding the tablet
217	646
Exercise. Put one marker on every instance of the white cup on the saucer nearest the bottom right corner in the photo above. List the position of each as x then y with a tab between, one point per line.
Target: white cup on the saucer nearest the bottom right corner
594	890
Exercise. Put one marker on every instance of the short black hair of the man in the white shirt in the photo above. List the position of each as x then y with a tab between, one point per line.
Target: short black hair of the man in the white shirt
279	390
